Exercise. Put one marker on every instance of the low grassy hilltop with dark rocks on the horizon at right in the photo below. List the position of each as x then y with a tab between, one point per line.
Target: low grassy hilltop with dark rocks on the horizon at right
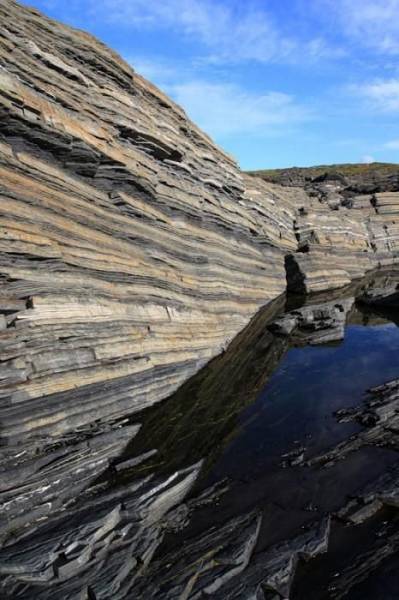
385	174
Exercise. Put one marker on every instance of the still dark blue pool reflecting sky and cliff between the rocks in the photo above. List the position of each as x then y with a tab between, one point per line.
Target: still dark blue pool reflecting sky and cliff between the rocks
268	398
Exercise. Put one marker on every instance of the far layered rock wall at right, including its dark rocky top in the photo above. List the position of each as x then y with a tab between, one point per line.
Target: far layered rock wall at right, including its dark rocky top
348	225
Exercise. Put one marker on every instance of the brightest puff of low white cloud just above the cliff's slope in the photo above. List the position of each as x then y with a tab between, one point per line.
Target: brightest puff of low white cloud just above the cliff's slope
226	109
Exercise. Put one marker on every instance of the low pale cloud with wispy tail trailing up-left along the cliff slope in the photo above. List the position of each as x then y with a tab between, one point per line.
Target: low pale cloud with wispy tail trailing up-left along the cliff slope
222	108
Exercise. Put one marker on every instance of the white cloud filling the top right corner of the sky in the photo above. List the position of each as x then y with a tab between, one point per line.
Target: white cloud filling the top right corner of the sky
372	23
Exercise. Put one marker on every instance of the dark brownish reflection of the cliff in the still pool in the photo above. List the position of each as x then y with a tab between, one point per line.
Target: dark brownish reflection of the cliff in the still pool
202	415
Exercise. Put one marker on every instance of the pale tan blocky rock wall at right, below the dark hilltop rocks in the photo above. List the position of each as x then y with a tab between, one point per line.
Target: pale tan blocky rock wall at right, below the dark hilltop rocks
340	243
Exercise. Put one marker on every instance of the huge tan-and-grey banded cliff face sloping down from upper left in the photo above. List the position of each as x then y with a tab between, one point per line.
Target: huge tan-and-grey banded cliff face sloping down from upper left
132	249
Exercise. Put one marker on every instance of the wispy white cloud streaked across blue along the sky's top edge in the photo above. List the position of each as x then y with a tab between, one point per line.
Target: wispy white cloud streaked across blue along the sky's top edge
230	32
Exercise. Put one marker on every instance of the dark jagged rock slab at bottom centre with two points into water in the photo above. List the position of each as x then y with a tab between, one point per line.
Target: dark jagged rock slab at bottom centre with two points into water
218	565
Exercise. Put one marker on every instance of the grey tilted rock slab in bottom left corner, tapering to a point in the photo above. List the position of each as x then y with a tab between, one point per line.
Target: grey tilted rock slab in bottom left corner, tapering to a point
102	548
